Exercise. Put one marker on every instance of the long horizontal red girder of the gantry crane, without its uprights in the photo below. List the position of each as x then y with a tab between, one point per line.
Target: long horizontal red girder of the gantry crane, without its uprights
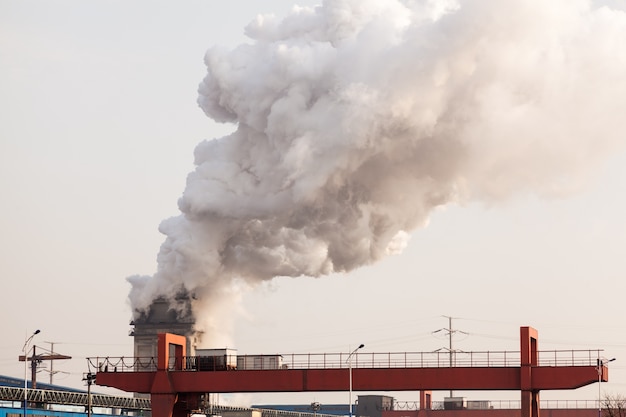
363	379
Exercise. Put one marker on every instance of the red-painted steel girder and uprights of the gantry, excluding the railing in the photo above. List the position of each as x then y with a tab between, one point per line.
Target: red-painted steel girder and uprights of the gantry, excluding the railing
175	390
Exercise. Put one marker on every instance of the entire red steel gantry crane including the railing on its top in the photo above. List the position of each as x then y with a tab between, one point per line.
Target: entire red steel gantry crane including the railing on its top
175	389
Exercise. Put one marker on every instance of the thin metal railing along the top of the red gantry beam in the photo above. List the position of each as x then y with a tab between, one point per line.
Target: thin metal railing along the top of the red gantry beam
488	359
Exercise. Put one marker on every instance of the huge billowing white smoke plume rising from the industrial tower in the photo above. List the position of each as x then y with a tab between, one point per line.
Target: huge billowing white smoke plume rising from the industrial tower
356	118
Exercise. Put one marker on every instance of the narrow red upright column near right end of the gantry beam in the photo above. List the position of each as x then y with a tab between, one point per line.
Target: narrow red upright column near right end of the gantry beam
529	359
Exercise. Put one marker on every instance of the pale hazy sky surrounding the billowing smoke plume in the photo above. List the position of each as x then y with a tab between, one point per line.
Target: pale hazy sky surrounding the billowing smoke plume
98	124
